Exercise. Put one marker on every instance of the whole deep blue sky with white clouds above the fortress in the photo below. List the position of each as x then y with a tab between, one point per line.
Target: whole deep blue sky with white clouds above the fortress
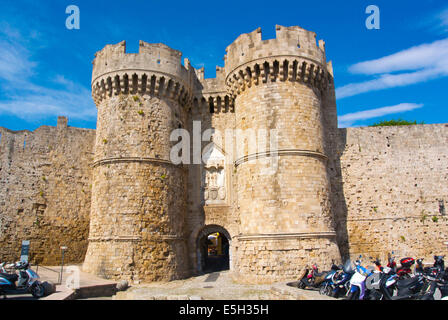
398	71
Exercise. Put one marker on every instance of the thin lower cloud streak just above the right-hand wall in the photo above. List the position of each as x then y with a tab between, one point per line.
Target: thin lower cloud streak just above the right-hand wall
349	119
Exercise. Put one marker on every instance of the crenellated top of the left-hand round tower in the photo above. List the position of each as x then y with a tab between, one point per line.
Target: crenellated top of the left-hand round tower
156	69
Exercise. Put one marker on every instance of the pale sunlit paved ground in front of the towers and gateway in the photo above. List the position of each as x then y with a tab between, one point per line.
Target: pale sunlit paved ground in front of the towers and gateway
212	286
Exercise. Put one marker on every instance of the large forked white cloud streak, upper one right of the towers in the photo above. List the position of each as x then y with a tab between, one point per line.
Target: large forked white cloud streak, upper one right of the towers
417	64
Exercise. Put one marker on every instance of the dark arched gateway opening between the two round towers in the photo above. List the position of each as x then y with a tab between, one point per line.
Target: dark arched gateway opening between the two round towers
213	249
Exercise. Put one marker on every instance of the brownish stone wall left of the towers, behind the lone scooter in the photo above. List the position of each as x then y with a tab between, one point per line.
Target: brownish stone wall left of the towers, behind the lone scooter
45	192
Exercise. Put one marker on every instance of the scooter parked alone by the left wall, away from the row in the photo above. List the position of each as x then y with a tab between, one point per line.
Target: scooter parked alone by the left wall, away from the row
27	282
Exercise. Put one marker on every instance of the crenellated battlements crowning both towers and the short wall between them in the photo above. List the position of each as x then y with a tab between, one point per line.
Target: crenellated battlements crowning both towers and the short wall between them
156	69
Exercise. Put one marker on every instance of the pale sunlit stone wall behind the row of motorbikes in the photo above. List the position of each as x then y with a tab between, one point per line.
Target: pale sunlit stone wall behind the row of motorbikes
395	190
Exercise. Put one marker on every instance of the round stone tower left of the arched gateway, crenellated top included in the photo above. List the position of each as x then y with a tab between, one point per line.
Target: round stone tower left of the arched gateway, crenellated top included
138	195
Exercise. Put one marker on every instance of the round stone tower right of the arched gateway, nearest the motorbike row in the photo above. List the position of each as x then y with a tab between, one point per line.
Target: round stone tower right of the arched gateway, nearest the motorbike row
282	185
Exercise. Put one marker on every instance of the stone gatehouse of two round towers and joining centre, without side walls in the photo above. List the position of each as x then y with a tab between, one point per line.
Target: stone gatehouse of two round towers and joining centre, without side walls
148	217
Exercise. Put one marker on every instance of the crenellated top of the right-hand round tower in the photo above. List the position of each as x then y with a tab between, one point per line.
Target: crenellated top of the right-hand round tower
293	55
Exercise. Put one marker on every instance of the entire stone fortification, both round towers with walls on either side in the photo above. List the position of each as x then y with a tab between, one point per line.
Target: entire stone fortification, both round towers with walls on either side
332	191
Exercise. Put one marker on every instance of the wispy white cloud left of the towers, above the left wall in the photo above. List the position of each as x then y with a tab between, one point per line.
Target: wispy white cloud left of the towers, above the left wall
24	97
